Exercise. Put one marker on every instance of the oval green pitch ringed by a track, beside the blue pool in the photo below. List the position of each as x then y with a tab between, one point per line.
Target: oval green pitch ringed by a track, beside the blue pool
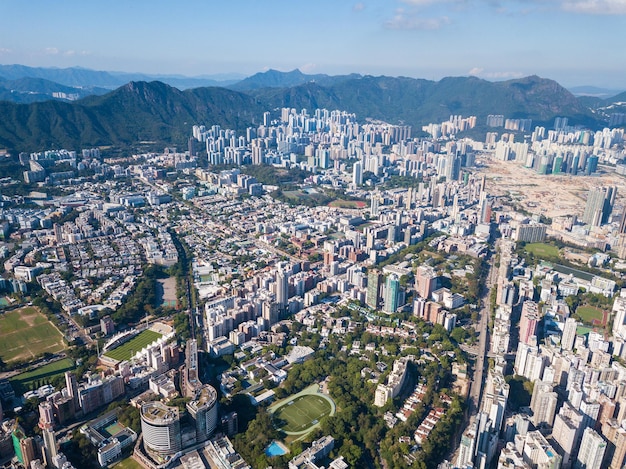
301	413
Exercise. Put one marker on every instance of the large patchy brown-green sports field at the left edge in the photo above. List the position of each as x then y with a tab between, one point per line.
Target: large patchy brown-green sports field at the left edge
27	333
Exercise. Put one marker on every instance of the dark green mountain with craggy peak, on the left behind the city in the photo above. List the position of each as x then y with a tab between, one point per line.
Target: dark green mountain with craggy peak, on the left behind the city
138	111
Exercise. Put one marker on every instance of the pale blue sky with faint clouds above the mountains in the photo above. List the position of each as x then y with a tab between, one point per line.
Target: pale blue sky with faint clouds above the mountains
576	42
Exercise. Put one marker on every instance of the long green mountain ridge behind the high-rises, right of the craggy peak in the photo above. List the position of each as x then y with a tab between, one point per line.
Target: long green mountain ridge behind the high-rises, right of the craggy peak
418	102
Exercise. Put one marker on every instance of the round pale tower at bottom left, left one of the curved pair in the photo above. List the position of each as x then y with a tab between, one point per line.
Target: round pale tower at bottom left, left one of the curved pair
160	426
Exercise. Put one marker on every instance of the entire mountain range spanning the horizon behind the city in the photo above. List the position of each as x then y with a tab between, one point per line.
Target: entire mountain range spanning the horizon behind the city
159	112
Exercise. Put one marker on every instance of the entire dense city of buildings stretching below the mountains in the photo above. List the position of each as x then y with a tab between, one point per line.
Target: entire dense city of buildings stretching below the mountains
318	291
